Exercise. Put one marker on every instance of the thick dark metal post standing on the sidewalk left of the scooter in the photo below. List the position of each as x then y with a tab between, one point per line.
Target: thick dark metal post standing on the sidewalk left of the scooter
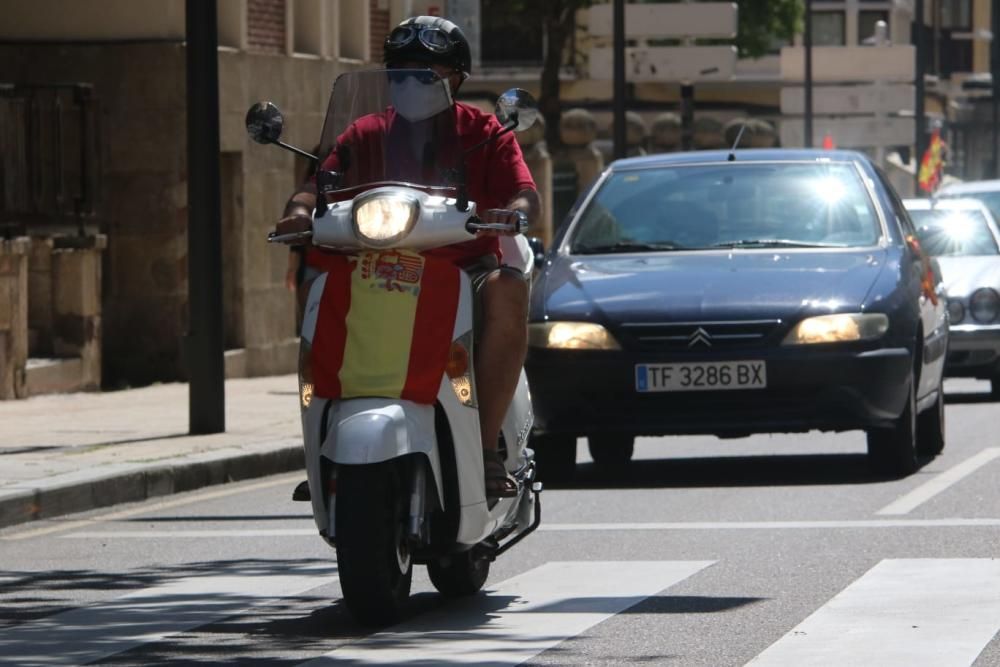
204	344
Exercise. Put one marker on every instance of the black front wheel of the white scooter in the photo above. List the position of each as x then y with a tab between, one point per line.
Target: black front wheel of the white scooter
374	561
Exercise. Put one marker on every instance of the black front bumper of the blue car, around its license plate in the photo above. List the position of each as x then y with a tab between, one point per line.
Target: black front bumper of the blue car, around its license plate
594	392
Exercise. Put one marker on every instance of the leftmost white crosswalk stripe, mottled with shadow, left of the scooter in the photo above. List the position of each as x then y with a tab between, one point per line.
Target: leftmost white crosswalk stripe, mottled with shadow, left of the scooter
91	633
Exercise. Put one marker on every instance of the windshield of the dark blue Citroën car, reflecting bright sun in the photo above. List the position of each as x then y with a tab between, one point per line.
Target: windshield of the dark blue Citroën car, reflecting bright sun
749	205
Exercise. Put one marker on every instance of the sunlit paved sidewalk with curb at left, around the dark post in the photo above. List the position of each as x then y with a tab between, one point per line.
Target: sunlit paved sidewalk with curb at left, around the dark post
68	453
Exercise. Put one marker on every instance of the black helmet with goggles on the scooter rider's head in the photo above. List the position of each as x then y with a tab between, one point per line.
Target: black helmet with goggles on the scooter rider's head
428	39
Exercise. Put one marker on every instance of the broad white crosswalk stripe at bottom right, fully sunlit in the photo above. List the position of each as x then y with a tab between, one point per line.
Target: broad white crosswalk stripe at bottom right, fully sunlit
901	613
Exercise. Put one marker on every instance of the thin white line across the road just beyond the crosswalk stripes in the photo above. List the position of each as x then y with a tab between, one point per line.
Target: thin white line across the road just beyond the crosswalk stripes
572	527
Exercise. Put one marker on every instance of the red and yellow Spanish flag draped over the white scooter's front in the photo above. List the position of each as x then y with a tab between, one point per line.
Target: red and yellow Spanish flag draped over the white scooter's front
385	326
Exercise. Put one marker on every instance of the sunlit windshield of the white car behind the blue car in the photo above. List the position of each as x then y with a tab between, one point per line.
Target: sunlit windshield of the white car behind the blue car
954	232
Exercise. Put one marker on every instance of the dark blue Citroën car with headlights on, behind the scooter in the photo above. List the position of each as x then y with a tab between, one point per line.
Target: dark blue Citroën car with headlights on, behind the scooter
754	291
